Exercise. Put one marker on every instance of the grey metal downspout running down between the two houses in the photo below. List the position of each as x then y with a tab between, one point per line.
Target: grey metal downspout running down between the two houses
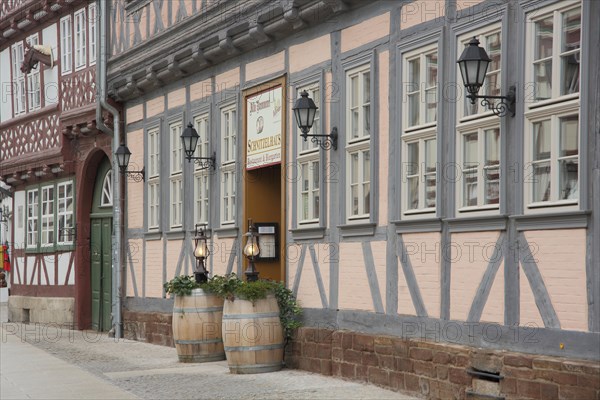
118	201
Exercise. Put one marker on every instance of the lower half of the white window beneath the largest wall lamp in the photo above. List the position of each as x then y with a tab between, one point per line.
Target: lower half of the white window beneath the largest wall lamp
480	168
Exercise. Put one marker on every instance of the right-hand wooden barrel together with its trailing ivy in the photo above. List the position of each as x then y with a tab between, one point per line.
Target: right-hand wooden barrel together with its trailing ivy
258	320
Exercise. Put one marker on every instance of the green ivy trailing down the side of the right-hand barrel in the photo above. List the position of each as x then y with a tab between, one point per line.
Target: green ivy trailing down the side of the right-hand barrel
231	287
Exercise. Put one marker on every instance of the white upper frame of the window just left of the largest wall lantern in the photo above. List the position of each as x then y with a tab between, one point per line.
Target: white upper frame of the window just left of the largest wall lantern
421	88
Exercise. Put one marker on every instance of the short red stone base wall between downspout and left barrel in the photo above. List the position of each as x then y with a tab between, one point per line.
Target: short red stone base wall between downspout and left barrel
150	327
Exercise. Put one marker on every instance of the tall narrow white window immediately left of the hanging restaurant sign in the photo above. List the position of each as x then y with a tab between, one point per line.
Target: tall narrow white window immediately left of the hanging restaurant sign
228	178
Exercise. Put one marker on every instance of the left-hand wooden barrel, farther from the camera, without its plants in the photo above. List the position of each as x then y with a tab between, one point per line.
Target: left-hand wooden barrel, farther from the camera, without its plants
197	322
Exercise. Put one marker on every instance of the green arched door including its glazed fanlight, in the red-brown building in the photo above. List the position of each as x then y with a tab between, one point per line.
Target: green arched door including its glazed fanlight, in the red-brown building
101	248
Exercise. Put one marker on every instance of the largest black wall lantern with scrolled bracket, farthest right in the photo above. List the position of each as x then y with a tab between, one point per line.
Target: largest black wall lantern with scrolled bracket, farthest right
473	63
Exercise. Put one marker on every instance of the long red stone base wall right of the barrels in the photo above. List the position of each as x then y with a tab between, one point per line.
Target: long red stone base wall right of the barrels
438	370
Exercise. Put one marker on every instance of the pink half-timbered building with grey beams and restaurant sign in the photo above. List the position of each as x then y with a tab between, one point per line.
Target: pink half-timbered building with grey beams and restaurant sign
434	228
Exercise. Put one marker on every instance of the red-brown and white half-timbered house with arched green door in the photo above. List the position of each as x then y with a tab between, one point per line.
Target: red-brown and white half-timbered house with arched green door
55	158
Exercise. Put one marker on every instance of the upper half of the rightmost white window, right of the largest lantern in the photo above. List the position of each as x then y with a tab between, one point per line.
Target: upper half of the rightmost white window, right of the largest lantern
555	48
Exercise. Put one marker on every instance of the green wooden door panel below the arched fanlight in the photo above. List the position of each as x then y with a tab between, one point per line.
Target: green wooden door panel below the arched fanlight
101	264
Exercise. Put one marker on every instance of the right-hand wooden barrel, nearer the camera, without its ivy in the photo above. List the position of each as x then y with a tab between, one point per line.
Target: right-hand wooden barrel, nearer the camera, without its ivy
253	336
